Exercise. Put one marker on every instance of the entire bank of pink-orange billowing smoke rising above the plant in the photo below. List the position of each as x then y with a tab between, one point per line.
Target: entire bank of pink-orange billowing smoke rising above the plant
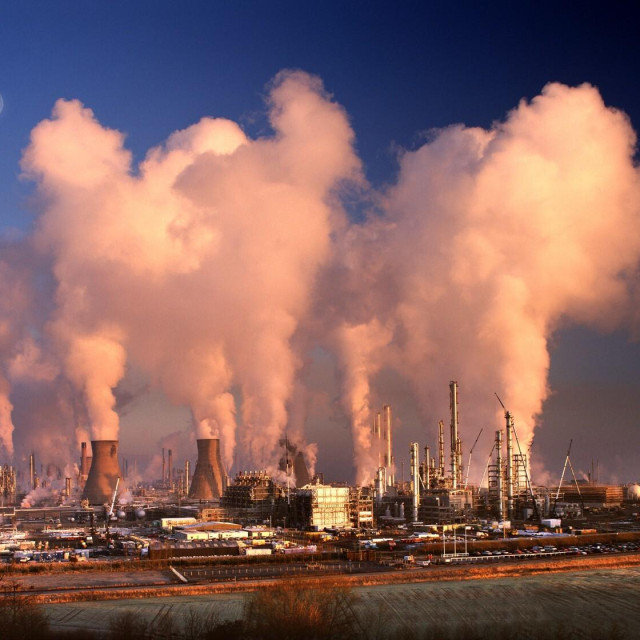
219	263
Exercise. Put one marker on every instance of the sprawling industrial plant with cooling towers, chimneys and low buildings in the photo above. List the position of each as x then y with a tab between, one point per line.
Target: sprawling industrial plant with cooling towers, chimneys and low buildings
436	501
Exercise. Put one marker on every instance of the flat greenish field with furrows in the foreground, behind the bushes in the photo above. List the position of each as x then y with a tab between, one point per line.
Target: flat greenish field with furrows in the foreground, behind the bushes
591	603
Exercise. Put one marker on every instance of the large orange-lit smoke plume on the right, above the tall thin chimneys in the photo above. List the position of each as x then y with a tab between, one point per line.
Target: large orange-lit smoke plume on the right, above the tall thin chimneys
490	241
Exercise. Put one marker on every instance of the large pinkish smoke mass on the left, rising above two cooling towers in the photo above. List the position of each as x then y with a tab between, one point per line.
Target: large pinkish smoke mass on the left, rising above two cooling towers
198	267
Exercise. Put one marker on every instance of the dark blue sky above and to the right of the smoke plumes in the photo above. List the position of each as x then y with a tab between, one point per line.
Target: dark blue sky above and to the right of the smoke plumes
399	69
